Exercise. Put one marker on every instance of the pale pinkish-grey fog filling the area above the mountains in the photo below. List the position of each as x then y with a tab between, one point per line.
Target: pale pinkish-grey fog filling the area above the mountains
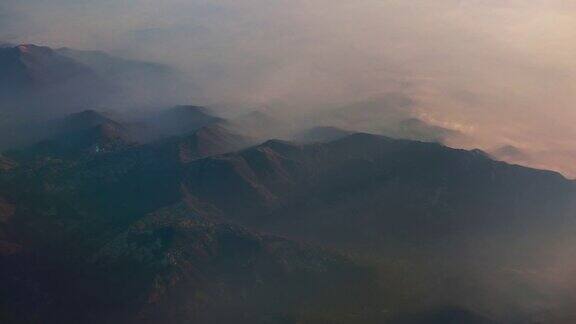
500	71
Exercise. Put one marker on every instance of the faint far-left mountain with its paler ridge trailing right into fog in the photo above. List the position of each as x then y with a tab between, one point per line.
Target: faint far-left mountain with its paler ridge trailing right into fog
40	82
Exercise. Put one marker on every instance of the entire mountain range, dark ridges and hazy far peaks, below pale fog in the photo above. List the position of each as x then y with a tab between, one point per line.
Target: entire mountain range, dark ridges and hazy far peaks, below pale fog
145	211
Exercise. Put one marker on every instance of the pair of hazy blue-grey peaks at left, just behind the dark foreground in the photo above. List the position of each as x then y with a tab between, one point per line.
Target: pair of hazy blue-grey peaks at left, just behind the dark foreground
186	132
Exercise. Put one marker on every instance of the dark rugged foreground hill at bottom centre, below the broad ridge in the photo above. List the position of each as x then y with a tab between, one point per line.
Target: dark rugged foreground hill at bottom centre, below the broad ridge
192	270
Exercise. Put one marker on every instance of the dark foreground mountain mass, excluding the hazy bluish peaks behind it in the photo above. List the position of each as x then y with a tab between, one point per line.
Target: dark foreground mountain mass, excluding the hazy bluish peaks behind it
433	230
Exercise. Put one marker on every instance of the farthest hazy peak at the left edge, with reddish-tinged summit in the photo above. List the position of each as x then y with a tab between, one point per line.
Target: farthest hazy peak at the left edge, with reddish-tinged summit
38	80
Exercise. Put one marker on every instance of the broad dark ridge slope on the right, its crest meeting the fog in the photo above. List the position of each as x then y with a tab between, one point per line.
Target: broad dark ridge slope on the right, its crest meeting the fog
407	190
